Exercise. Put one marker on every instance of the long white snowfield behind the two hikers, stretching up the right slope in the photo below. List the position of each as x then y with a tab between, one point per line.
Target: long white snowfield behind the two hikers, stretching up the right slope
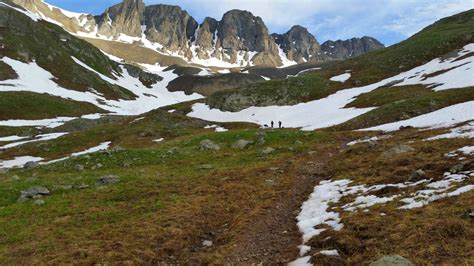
447	74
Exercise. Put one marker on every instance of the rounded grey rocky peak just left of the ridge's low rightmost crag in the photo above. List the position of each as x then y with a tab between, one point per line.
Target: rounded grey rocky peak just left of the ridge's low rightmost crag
298	44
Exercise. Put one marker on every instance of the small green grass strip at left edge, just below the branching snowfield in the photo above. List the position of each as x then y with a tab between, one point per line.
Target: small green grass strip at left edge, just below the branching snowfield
28	105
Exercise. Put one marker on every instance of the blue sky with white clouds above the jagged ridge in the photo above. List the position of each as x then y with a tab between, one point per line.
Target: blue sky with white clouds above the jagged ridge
390	21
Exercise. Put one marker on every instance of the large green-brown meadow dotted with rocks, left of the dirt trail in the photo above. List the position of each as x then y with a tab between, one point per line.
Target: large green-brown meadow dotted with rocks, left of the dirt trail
163	206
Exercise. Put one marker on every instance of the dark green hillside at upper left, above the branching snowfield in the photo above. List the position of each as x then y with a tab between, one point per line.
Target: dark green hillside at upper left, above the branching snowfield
26	40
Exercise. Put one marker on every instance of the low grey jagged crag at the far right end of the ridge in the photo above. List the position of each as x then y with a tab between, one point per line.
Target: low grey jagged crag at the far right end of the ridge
350	48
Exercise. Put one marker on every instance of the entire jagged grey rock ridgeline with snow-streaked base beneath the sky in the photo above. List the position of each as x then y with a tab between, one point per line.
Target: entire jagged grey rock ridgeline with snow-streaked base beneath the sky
239	39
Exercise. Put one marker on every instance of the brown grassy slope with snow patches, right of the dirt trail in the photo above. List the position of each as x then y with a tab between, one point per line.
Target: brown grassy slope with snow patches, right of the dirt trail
435	234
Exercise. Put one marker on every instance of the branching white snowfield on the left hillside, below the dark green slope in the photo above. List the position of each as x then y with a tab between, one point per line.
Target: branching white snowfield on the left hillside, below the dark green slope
33	78
